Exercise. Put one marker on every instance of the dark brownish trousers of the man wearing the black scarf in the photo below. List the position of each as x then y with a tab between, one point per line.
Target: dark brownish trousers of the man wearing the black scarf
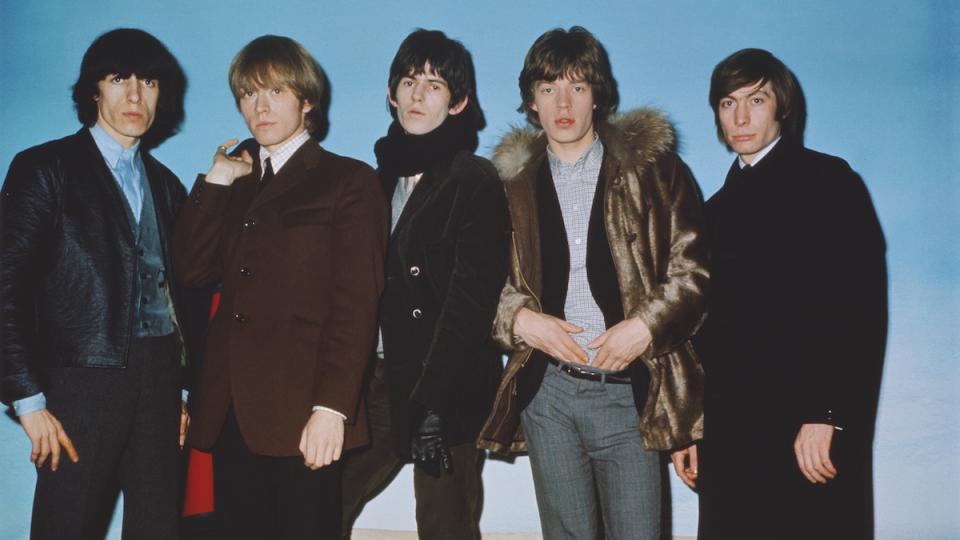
448	505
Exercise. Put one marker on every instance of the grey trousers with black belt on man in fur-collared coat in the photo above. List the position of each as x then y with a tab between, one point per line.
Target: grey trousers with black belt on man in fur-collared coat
592	477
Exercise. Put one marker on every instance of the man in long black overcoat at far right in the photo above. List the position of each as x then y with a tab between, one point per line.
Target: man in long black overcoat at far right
794	343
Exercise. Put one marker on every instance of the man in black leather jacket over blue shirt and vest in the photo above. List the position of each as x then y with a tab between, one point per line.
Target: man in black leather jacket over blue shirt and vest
92	344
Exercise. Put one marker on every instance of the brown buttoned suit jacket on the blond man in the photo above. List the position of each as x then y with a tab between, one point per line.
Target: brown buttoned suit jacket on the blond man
301	265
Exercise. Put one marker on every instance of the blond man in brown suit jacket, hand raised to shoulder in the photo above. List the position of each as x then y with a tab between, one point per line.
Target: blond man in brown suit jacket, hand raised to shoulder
297	236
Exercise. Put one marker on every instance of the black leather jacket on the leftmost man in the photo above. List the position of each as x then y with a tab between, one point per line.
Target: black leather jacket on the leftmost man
68	261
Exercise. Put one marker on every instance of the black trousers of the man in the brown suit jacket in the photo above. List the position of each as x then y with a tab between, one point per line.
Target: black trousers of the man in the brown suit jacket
264	497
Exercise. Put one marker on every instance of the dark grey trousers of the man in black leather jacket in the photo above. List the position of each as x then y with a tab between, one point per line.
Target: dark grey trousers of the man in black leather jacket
124	425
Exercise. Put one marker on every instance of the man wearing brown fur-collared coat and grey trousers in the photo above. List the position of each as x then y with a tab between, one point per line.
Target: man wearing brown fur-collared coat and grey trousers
606	288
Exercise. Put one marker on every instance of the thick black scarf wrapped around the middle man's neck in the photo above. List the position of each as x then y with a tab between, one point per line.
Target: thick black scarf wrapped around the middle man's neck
401	154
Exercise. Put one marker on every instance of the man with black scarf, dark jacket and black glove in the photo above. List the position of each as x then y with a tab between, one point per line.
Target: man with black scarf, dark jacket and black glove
437	368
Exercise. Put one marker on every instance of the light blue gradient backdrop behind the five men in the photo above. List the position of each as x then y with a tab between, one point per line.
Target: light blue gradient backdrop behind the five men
881	80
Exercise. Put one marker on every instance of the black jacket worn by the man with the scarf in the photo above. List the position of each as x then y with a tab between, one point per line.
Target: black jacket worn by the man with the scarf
446	264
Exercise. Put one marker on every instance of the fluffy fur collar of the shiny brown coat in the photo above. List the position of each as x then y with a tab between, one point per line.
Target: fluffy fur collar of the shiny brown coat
640	136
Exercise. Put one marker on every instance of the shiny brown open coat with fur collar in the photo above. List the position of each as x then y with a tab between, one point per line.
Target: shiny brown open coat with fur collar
652	215
